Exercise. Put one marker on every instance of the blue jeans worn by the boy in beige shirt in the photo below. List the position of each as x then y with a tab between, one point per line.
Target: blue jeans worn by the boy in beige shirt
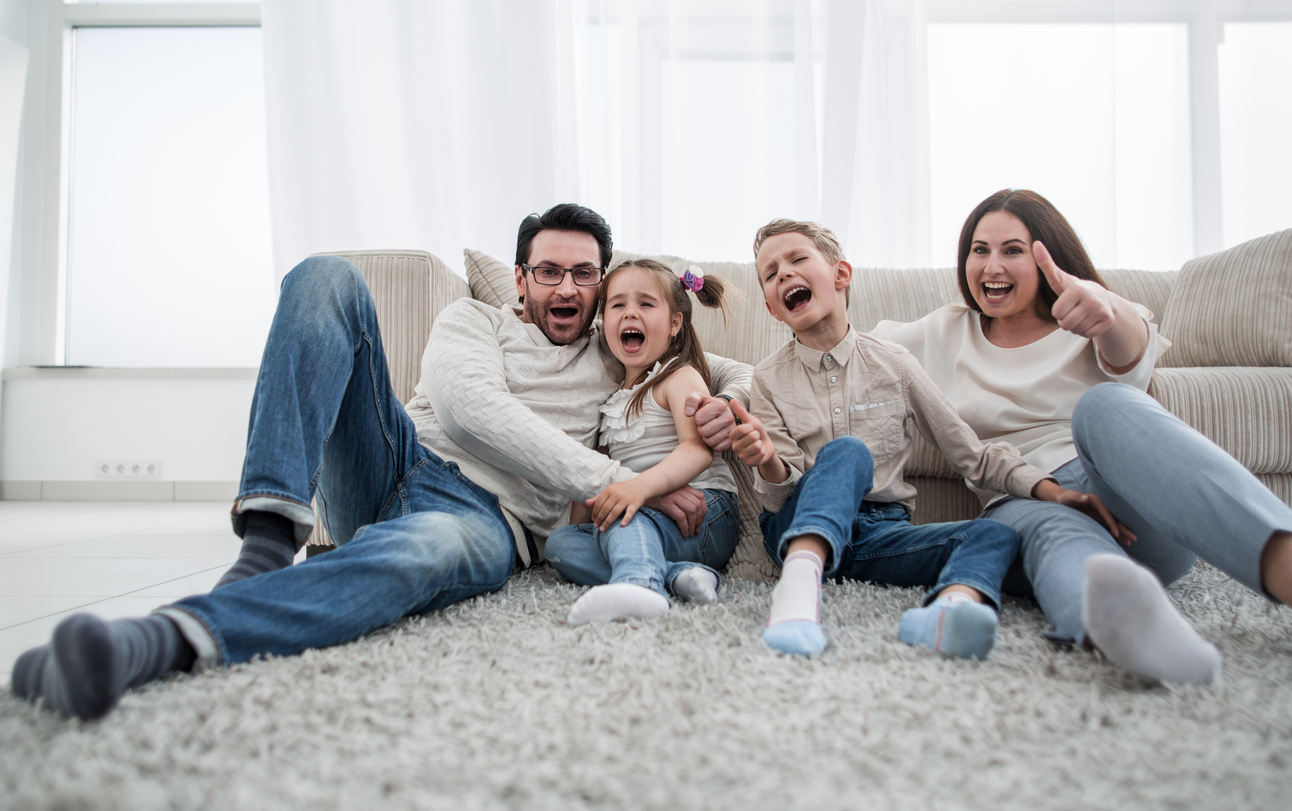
878	543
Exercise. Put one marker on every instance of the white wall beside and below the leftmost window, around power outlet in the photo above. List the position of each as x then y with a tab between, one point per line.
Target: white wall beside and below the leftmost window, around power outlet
57	424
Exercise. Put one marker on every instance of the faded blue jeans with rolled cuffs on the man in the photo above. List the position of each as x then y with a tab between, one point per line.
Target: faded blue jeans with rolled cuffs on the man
414	535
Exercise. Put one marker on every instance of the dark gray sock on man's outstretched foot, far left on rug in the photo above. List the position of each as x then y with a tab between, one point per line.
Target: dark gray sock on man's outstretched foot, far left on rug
90	663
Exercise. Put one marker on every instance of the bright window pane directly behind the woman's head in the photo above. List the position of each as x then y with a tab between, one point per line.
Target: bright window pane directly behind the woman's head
1092	117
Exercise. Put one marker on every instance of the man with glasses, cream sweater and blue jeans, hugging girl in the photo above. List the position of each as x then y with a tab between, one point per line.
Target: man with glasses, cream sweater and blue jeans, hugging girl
428	506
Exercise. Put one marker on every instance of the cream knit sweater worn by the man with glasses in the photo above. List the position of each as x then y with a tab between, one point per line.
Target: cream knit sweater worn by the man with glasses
519	414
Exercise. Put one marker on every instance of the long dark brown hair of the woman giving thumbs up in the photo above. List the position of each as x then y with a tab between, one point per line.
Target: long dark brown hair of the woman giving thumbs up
1046	225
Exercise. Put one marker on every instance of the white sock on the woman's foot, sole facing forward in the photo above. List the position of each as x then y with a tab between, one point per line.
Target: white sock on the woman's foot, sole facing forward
1130	618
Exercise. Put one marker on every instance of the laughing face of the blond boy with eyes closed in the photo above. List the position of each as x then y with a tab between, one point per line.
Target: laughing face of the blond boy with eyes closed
802	289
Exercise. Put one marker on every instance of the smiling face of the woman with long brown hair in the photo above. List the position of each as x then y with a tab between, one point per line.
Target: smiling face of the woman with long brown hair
1003	277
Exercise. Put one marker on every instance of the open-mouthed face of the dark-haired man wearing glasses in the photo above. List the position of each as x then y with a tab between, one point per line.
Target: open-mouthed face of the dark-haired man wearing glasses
563	312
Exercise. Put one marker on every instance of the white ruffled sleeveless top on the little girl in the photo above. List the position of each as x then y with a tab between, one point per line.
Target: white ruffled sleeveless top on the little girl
644	440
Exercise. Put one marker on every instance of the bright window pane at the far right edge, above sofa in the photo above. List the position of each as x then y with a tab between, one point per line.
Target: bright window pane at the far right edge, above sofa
1256	130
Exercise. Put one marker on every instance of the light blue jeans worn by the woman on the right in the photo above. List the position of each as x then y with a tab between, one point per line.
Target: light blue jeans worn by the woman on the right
1178	491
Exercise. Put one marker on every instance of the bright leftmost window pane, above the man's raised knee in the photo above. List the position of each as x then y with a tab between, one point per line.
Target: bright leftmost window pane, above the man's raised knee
169	252
